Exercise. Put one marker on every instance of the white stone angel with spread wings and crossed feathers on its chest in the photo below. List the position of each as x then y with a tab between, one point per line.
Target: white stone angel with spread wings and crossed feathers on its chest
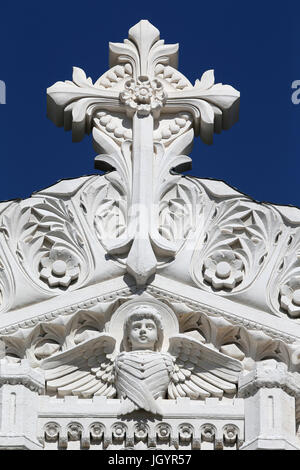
141	373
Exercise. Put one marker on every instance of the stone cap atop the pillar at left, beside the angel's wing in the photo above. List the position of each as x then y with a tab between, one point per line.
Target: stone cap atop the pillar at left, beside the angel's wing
21	374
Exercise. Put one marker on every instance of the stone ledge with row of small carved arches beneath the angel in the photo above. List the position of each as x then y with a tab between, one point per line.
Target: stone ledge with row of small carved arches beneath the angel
226	431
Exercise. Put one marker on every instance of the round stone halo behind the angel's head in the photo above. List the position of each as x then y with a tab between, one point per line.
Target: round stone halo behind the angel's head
164	318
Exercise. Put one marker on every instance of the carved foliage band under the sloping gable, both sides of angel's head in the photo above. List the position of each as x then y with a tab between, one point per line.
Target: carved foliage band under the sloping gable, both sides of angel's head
245	341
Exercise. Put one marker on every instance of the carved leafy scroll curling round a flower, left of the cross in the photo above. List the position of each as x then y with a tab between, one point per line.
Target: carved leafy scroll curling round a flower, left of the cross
48	244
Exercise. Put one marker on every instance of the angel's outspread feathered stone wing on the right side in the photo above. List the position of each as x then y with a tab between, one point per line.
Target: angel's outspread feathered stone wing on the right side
200	372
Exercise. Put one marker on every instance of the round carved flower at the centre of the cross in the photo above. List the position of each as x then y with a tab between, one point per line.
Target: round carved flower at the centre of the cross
143	96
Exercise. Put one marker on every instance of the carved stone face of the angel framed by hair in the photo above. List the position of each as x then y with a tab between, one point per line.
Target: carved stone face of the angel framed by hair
142	334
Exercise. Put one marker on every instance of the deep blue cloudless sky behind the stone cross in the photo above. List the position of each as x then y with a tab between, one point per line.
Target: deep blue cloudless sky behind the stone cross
253	46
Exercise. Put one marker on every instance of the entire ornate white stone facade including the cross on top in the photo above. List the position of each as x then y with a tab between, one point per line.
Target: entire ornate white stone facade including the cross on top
142	309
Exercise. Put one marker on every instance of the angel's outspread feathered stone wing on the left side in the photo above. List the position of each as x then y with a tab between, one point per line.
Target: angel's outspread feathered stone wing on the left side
83	370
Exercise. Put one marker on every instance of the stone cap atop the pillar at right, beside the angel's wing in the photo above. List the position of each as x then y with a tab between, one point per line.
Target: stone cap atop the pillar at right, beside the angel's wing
269	374
